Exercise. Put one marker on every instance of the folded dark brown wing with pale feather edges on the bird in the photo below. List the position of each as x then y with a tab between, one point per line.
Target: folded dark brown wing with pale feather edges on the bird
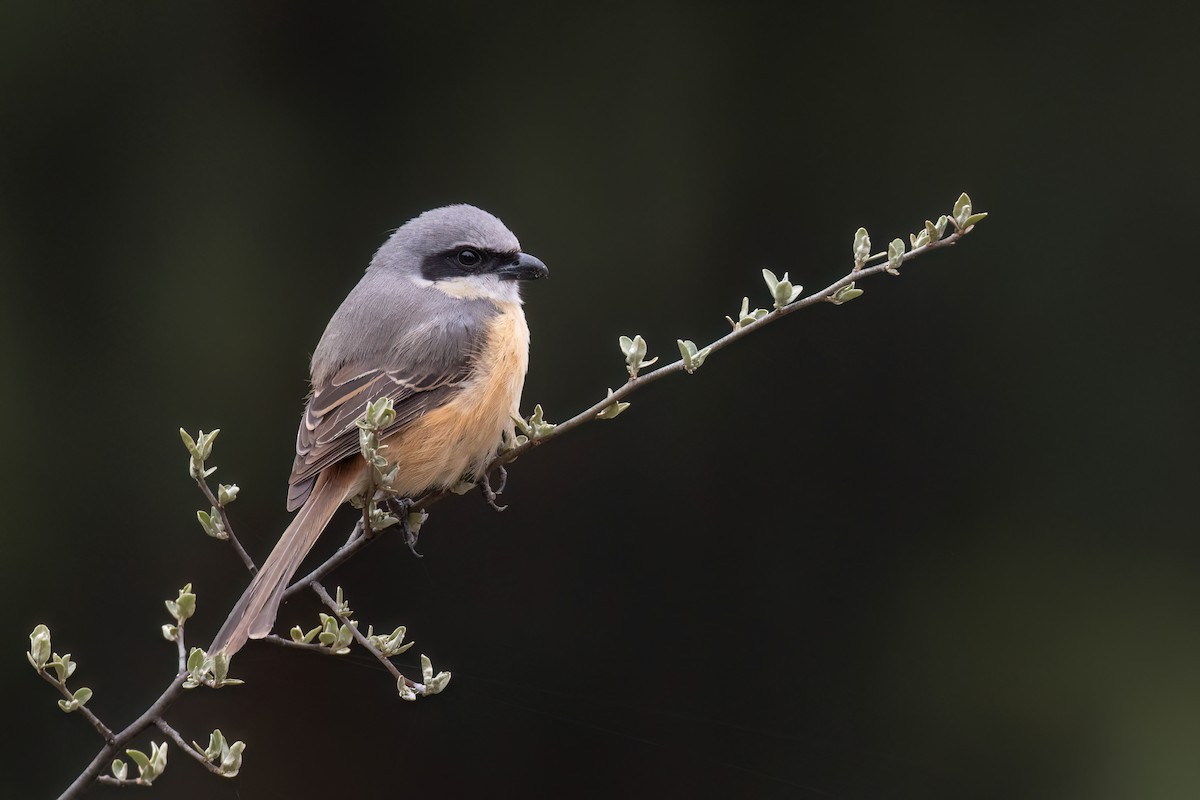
329	431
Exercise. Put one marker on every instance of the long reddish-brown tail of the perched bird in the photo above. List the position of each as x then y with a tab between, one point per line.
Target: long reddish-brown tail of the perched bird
255	615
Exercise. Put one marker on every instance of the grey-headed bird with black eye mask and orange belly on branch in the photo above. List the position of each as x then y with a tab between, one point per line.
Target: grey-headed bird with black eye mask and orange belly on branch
436	324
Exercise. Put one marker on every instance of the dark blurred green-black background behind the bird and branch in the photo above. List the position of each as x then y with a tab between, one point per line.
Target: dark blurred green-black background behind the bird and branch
933	544
